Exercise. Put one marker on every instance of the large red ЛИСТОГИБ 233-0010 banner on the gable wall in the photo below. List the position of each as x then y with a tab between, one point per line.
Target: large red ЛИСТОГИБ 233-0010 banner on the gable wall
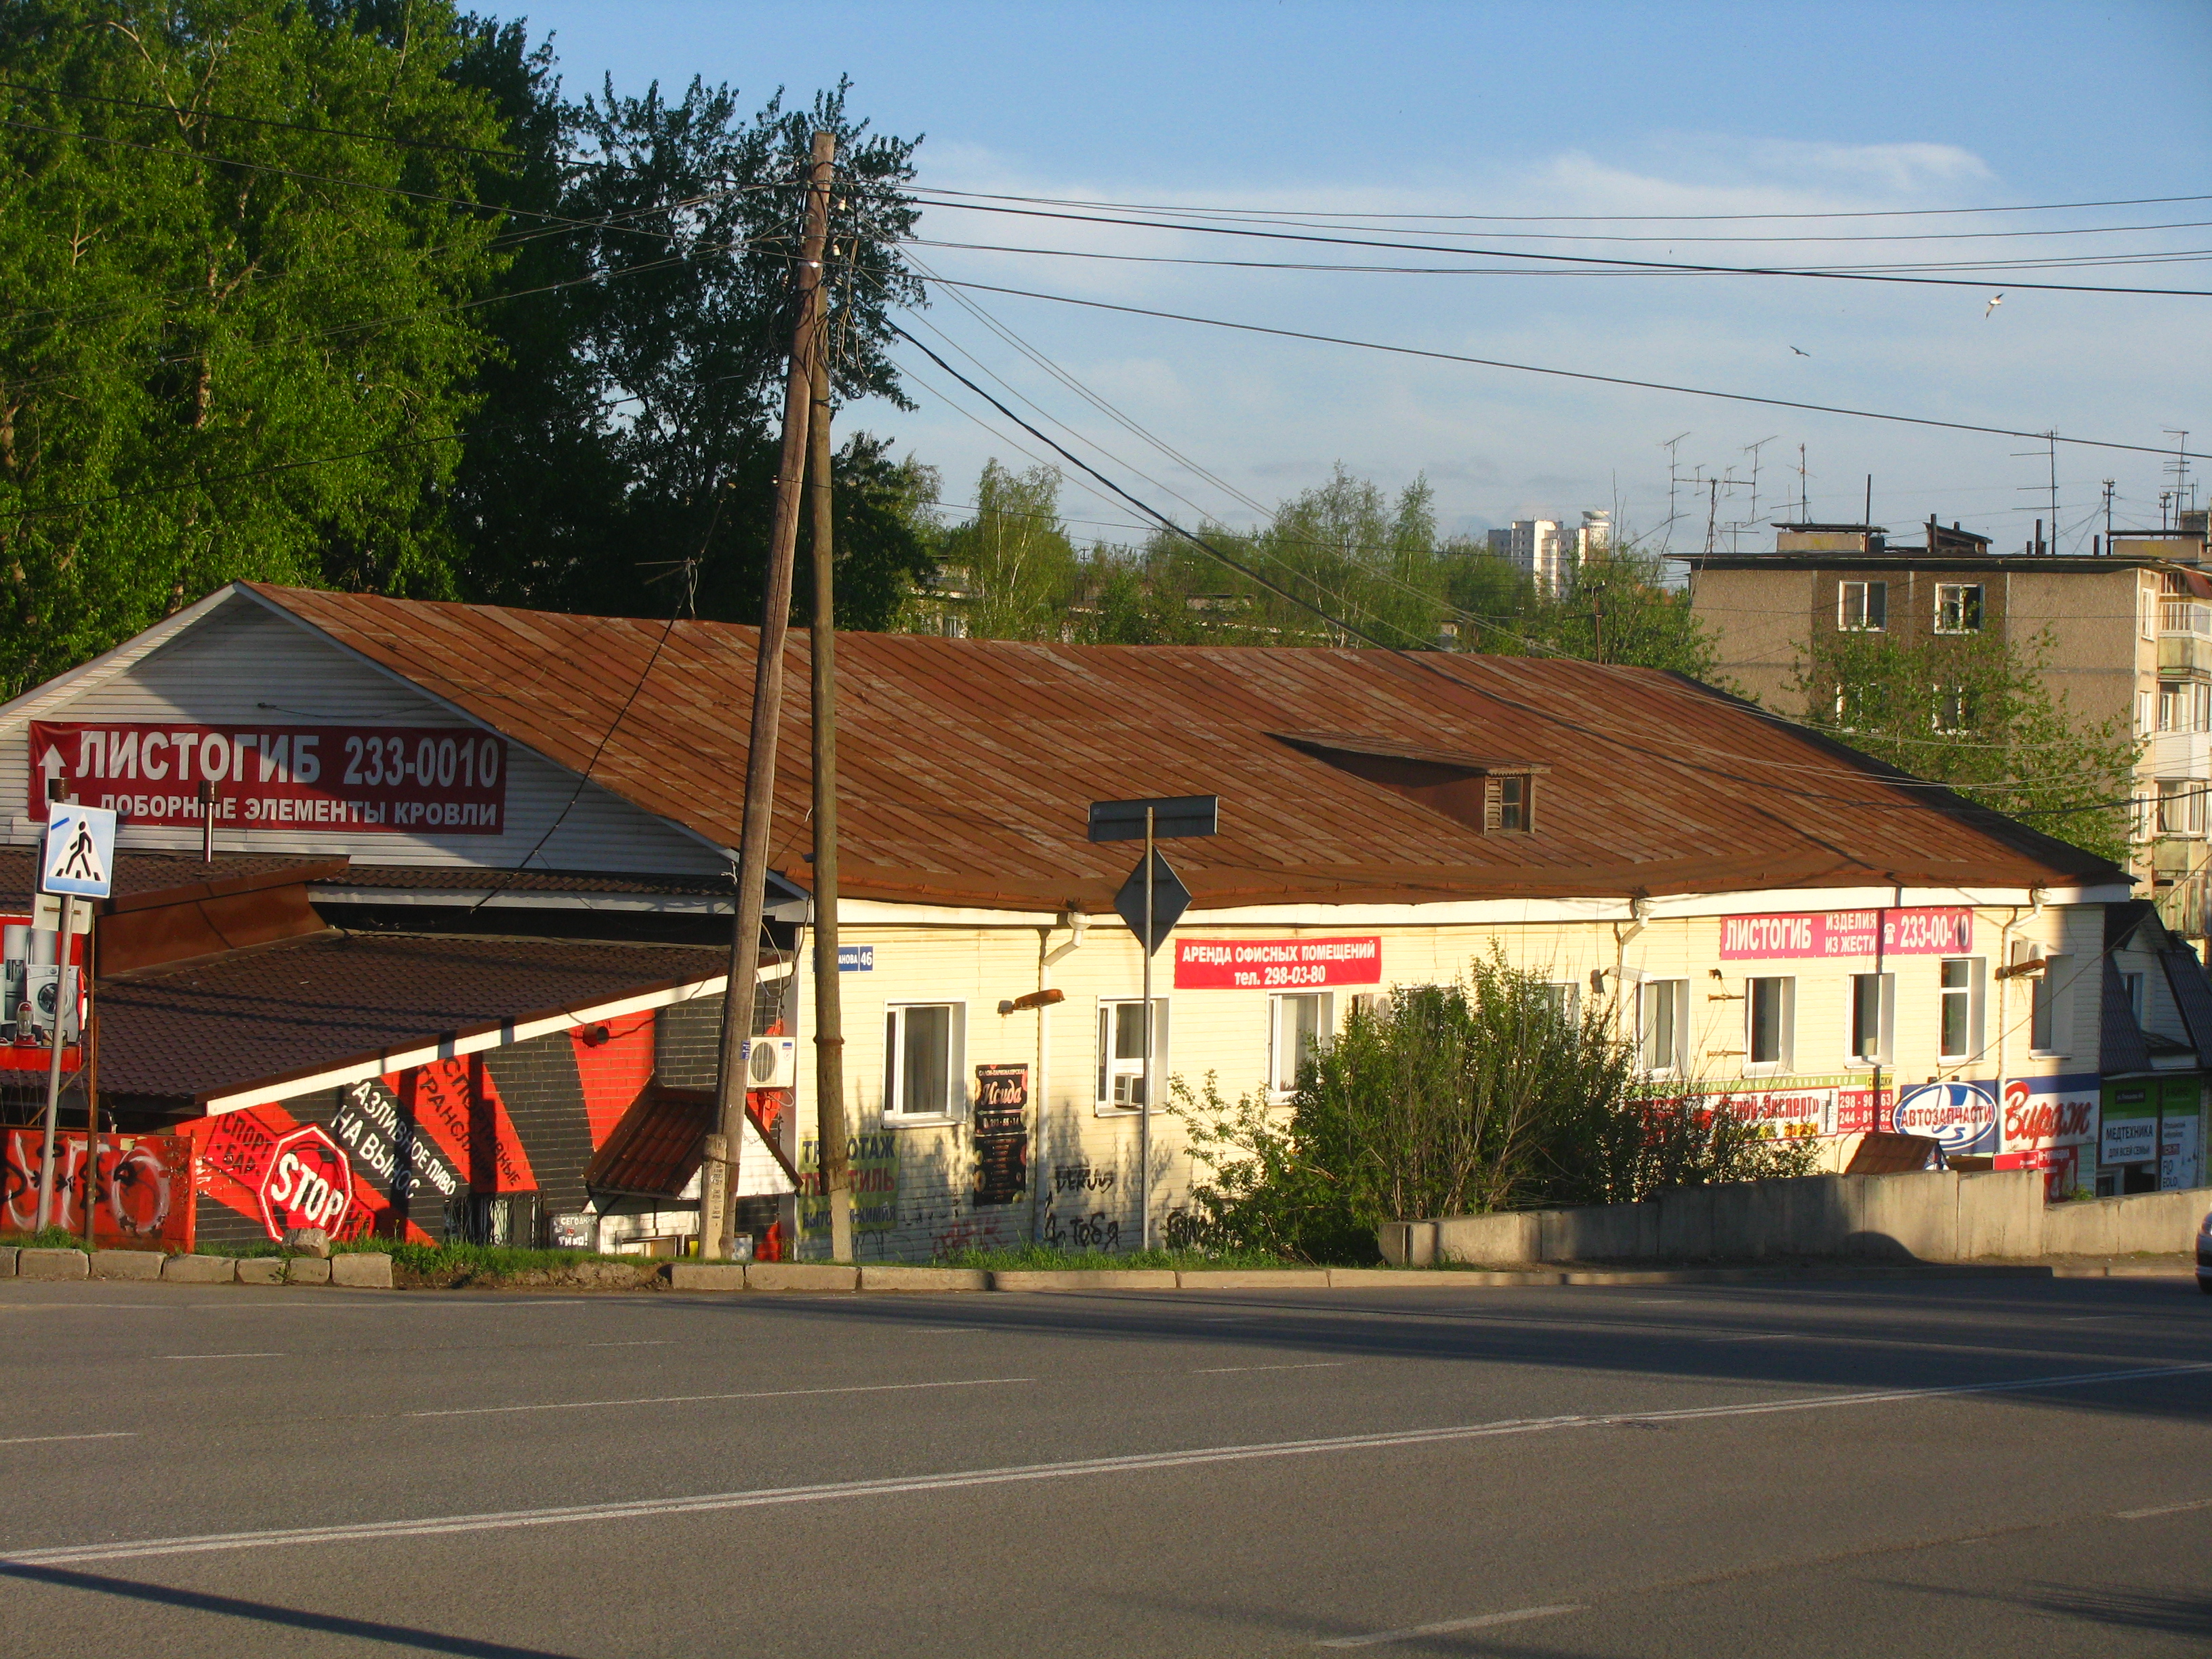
388	780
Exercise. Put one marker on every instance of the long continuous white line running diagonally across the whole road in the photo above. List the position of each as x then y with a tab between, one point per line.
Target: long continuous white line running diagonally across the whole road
966	1479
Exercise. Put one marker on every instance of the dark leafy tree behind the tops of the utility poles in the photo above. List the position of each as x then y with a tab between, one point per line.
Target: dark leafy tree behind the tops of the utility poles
634	404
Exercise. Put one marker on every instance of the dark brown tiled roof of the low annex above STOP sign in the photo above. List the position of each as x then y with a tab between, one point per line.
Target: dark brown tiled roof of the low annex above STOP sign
300	1008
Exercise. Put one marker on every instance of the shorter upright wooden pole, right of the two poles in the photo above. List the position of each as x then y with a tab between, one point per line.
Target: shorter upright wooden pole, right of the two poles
831	1134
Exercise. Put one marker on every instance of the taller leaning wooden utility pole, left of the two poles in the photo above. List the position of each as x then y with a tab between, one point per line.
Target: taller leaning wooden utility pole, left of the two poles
718	1231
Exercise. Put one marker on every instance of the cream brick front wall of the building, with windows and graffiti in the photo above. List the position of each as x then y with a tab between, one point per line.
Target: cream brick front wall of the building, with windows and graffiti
1083	1162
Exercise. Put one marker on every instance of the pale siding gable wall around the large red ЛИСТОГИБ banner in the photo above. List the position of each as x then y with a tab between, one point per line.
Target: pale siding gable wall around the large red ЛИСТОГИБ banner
251	669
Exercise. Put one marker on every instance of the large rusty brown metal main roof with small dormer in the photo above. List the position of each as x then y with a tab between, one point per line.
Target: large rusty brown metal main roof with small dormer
966	764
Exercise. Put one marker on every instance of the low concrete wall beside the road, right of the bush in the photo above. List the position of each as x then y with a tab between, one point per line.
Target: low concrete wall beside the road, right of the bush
1930	1215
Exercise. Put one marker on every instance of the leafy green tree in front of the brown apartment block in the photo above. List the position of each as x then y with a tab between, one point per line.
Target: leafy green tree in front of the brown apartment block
1976	711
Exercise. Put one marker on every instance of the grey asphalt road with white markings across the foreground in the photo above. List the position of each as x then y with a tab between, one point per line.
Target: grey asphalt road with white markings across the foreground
1899	1468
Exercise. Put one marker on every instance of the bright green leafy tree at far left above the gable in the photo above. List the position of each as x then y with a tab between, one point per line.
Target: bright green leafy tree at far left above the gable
231	348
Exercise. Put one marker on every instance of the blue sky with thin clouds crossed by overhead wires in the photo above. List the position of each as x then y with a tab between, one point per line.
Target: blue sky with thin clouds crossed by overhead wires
1538	112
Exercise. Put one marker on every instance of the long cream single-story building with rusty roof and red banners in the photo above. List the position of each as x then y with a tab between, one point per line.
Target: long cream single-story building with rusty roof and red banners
503	802
